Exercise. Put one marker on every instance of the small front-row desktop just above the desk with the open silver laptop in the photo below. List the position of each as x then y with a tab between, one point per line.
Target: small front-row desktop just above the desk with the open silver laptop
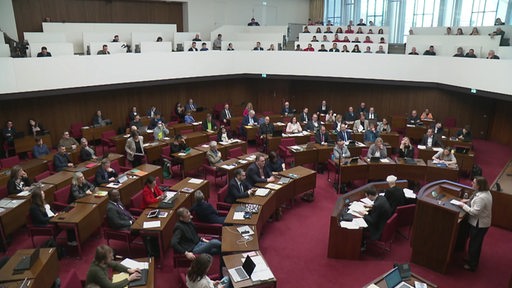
233	242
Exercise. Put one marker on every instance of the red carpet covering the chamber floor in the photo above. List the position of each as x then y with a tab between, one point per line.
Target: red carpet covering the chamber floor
296	246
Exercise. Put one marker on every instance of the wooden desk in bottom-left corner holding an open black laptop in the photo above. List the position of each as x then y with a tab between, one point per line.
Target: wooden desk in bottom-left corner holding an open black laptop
42	274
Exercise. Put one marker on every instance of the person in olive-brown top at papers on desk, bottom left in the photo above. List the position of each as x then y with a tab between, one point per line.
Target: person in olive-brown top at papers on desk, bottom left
98	271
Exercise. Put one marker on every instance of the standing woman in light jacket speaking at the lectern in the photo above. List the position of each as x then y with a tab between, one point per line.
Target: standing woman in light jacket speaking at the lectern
479	209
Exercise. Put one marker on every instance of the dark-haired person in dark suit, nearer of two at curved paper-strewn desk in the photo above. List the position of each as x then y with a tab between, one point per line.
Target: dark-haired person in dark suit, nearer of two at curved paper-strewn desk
378	215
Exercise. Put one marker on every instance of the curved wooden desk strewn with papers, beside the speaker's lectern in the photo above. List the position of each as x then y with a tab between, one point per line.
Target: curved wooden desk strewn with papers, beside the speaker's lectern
346	243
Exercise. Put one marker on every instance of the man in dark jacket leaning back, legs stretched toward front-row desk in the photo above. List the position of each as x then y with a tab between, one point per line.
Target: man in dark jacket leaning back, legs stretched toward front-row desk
186	241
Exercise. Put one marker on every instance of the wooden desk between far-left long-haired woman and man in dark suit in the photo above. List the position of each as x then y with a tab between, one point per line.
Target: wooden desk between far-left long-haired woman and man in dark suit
84	219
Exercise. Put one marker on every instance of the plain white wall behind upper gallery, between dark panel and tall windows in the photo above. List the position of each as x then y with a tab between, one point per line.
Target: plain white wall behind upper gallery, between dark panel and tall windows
206	15
